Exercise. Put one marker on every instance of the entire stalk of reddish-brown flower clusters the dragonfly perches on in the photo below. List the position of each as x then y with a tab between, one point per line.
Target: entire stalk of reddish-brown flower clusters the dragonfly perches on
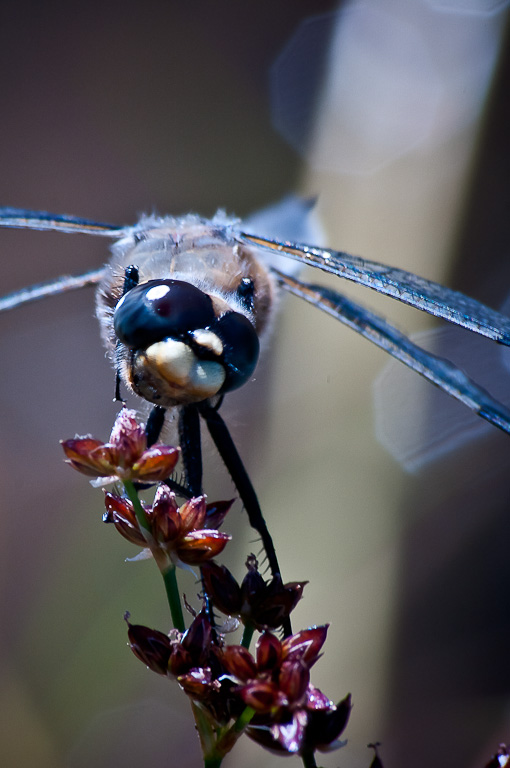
268	696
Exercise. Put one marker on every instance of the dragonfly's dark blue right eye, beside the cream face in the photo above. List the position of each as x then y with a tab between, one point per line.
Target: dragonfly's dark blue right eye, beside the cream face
240	348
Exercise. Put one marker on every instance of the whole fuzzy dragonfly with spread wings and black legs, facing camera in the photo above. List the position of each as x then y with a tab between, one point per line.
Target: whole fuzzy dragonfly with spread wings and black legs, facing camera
183	303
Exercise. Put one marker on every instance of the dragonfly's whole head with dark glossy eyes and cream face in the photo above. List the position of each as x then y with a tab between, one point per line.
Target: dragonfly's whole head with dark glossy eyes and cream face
181	344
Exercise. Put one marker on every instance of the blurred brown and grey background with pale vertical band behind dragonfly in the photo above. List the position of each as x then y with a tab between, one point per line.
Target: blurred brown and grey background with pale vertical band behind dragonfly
395	115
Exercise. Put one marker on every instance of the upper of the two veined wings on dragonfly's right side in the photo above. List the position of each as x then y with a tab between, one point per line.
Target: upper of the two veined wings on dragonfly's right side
420	293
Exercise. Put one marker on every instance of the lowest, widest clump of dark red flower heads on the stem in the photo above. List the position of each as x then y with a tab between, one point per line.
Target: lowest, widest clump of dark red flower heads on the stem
290	714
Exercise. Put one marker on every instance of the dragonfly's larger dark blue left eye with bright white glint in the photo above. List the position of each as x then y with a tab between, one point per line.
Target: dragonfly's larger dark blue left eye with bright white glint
159	309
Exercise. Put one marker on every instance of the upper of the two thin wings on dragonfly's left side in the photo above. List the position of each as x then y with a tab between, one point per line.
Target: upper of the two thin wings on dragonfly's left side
23	219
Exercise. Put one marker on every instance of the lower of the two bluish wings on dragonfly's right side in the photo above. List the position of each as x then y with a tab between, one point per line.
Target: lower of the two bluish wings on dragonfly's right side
436	369
